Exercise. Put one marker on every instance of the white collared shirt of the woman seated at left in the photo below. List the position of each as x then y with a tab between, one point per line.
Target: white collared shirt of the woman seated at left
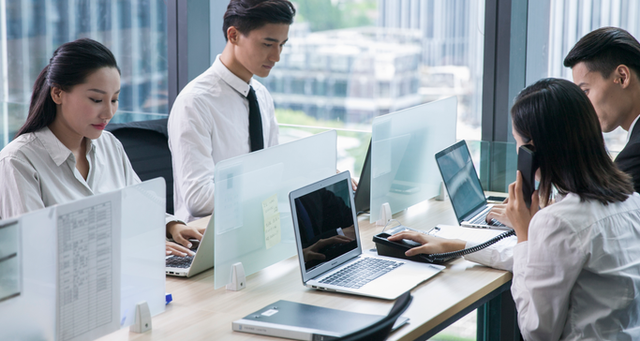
37	171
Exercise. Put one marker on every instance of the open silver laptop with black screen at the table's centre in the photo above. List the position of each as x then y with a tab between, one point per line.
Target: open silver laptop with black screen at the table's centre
330	250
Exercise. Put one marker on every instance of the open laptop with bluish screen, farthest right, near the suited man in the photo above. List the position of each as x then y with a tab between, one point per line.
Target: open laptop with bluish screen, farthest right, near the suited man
464	188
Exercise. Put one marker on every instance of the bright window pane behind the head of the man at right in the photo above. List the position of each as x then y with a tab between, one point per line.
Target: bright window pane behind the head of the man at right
570	20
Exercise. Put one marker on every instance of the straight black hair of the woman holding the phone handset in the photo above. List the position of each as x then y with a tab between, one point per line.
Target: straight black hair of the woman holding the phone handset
565	130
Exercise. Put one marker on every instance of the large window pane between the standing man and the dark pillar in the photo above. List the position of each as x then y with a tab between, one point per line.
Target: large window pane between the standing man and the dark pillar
349	61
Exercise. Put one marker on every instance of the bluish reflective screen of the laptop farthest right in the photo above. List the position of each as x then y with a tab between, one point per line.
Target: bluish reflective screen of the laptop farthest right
460	178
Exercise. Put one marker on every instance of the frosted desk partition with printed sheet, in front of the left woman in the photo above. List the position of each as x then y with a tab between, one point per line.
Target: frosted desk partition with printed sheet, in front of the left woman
84	265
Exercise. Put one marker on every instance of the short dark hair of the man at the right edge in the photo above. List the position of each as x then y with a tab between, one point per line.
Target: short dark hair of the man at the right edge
604	49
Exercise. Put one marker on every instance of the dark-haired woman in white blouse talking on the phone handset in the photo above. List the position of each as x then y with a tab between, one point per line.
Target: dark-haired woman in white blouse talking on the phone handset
576	264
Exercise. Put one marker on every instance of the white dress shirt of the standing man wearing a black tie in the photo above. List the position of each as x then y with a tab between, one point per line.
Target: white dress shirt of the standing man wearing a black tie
209	122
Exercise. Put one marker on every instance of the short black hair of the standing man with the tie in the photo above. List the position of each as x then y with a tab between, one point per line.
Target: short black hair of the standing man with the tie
248	15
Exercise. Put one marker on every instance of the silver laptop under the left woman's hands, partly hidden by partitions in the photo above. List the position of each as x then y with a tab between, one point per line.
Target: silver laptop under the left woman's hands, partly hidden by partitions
192	265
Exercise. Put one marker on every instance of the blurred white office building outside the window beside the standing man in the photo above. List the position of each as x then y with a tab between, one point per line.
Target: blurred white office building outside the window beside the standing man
347	75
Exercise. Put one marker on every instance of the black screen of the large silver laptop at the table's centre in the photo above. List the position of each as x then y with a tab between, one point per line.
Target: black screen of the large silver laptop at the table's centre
325	224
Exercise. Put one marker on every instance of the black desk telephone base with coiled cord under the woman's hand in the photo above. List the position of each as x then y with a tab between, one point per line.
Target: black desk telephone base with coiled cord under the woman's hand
386	247
